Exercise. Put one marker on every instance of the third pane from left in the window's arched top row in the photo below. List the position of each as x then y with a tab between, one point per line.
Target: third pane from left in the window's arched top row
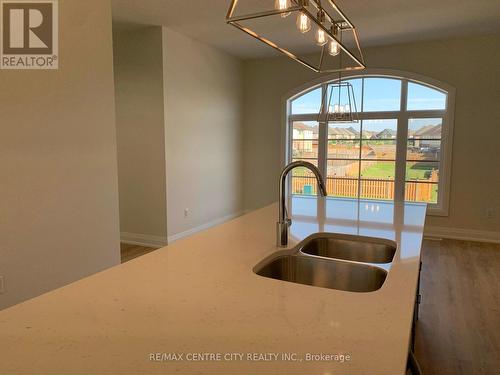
382	94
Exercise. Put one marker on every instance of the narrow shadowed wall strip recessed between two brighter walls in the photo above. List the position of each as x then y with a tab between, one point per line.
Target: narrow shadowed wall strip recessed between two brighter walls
138	64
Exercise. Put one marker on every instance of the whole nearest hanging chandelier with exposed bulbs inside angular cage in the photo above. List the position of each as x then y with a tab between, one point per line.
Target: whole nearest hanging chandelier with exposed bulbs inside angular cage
308	28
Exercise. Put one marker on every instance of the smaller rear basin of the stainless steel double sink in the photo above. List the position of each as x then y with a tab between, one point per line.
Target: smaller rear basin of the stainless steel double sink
346	247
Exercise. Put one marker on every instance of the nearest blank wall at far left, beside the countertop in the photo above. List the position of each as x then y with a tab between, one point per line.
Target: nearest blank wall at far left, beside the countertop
58	169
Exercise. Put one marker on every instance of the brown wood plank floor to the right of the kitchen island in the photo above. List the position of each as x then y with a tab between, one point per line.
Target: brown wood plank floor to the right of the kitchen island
458	331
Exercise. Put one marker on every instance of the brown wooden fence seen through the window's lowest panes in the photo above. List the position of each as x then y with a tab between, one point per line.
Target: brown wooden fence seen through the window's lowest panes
372	189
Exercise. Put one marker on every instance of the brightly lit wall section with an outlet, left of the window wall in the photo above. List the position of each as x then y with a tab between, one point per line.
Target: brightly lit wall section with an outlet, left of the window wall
203	95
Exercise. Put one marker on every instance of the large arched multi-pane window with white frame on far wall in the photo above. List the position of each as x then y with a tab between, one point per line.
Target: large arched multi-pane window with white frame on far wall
400	148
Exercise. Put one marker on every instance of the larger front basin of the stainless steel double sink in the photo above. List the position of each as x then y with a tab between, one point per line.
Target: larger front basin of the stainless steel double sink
325	273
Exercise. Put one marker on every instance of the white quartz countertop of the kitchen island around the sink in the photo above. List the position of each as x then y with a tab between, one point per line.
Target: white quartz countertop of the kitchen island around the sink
200	295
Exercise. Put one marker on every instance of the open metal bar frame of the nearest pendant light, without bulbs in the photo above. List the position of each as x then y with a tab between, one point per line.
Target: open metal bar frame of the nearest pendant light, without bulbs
300	6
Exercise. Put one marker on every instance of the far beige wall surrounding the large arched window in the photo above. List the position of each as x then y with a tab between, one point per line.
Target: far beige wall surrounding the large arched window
471	65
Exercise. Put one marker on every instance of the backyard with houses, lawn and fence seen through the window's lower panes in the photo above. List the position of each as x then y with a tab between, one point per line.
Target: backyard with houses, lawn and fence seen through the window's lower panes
366	163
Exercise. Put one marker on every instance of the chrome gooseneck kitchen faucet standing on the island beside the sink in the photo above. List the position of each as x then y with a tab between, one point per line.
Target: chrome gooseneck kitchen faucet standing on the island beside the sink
283	220
